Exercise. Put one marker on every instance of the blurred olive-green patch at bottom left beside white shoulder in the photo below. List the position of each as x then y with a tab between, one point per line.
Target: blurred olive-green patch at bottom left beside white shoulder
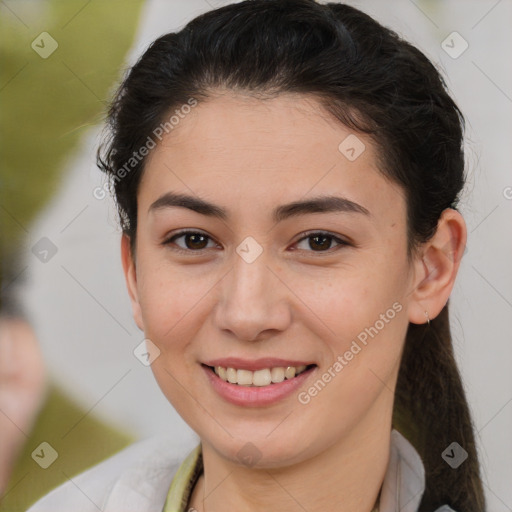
80	440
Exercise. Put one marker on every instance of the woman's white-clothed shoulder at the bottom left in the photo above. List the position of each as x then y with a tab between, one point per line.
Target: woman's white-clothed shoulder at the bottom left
136	478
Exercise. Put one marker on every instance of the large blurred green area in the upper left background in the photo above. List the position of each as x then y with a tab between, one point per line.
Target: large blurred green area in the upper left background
47	103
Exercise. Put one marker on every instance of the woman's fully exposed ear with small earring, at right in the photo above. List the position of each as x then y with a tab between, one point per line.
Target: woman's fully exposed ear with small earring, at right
437	265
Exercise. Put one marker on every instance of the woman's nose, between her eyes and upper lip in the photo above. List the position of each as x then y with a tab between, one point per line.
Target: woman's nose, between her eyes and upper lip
253	303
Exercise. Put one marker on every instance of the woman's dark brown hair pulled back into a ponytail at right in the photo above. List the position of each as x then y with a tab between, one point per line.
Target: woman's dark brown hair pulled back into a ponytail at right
372	81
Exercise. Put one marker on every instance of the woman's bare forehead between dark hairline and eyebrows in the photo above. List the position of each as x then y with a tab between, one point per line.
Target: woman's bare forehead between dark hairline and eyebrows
236	150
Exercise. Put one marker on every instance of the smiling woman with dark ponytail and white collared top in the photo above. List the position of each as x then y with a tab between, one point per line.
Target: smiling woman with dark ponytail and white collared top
287	175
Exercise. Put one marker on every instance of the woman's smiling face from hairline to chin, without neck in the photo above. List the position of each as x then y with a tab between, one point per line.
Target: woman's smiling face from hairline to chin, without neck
271	282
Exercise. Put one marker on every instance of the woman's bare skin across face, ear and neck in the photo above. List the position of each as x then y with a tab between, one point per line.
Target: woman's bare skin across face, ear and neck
295	301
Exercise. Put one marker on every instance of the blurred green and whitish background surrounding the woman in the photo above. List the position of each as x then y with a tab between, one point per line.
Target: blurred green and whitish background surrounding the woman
59	249
